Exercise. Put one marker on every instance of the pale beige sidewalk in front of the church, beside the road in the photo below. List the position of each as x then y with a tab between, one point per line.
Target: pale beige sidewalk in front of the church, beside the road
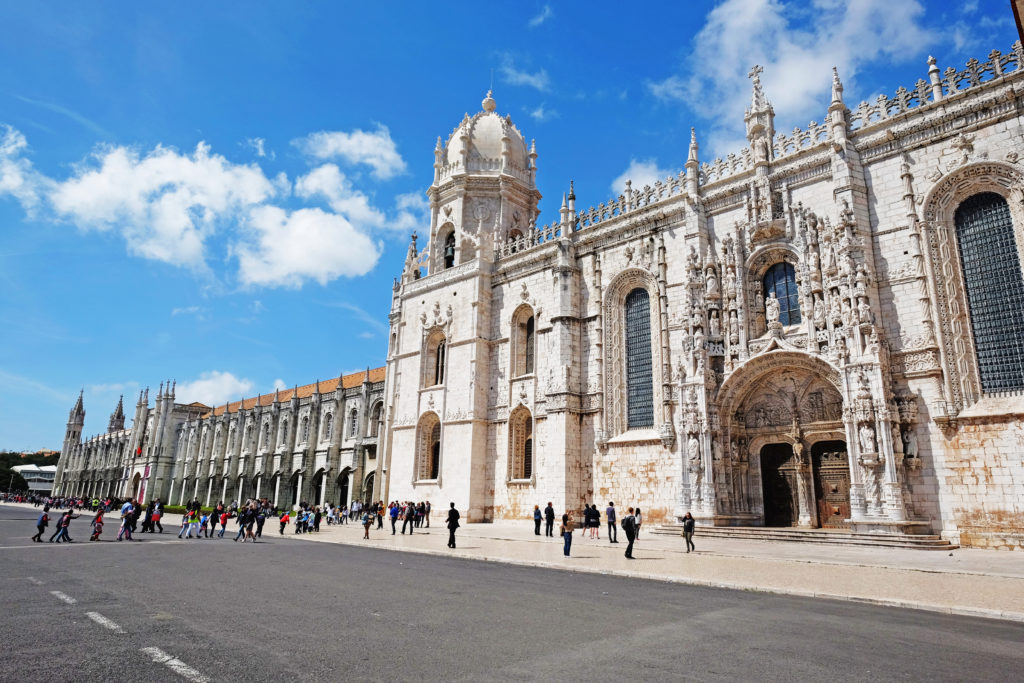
970	582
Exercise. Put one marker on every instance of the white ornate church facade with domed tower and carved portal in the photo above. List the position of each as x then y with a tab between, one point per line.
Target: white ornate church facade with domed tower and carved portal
781	337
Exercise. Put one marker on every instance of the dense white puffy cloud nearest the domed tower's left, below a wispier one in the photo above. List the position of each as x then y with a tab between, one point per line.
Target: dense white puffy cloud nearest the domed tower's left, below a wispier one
285	249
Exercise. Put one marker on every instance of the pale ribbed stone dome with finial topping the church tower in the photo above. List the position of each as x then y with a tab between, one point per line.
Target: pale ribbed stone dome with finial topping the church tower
488	144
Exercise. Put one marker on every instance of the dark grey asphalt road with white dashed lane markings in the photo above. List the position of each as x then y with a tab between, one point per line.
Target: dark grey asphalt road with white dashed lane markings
165	610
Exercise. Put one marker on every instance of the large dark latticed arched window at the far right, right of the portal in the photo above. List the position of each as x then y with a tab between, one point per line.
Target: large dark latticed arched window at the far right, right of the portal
995	289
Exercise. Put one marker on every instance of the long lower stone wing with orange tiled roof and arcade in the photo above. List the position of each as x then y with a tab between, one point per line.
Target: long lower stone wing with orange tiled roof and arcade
316	443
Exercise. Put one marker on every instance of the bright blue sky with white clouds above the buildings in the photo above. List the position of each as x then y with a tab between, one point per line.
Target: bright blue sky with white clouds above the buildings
223	193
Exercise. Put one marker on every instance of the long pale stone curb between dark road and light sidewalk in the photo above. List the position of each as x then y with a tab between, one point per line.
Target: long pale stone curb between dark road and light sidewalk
750	588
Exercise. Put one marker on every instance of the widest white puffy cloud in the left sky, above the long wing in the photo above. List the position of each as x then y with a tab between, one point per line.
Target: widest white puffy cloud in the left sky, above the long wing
165	204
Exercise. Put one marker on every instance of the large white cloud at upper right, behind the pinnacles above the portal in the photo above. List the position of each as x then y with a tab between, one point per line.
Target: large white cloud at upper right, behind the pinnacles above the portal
798	50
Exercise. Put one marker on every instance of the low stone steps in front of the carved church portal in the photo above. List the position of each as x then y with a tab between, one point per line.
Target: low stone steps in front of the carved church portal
834	537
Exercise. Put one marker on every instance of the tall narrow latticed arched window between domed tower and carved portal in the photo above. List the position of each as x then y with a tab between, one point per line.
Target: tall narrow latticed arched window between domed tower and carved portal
639	387
